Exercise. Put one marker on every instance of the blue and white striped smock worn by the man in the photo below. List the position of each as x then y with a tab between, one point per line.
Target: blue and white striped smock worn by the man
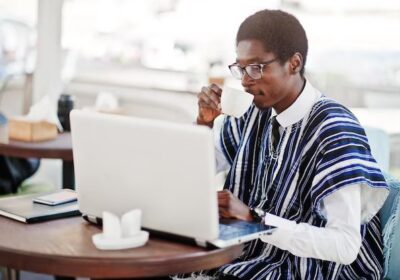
325	151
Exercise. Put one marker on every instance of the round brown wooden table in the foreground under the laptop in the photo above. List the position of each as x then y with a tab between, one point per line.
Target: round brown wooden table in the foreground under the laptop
64	247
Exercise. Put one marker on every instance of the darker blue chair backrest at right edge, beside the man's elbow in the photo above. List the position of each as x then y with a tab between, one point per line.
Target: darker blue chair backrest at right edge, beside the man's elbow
390	220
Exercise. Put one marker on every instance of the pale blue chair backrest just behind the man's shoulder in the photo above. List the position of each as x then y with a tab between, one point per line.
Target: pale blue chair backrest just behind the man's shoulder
379	142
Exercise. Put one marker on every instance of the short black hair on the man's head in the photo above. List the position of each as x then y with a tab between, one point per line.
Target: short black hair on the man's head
280	33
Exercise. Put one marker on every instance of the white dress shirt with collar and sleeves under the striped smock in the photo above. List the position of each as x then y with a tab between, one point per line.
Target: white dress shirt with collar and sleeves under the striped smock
340	240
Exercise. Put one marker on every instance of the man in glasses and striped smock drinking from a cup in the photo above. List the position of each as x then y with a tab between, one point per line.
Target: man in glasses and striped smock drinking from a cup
298	161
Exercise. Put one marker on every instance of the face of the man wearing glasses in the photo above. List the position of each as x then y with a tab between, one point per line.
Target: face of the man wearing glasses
276	87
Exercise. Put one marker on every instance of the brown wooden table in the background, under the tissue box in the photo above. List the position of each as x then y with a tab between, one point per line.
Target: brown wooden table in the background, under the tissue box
58	148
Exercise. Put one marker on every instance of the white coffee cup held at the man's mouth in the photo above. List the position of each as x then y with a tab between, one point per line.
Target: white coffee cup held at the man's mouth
235	102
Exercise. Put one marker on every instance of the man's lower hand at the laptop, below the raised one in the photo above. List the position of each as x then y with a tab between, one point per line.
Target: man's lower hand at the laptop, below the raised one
231	207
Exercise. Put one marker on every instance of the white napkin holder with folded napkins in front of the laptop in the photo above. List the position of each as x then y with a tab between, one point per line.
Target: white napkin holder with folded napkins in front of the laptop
121	233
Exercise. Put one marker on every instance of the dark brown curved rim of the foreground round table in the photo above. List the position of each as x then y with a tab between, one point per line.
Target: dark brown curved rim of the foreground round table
116	267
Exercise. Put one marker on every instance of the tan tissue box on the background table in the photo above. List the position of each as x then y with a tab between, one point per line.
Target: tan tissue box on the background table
32	131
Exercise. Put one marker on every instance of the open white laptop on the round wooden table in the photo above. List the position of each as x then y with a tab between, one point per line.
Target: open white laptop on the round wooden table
165	169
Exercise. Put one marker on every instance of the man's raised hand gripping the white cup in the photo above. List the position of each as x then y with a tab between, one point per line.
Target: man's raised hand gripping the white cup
209	100
